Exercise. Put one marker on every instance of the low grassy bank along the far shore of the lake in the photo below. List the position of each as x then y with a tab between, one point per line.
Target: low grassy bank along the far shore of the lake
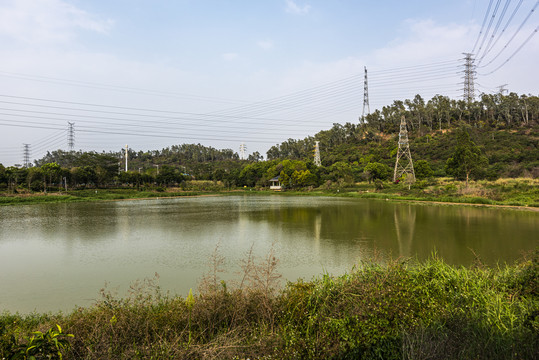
504	192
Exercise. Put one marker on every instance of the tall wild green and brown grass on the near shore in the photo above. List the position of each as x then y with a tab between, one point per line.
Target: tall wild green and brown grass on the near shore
400	310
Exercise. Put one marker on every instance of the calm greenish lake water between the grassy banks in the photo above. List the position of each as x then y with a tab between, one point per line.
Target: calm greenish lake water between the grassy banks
56	256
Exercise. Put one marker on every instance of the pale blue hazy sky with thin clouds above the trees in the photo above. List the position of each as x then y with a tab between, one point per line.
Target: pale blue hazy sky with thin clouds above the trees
151	74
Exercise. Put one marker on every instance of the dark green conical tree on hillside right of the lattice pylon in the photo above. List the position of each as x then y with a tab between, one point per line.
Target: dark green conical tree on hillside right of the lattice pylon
467	159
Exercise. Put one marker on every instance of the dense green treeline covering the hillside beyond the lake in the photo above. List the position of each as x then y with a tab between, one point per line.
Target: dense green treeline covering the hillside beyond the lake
501	131
